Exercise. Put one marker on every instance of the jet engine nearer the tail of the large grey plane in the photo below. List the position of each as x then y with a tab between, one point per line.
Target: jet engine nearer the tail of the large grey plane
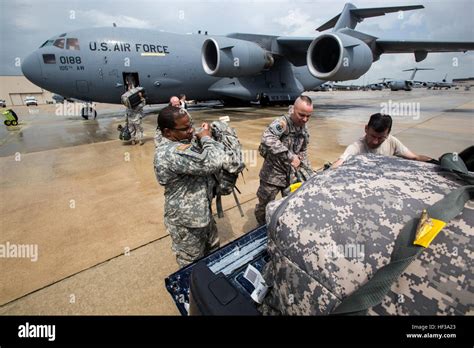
338	57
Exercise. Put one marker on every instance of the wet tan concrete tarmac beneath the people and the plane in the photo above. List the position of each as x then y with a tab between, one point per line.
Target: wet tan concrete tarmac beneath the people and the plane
93	208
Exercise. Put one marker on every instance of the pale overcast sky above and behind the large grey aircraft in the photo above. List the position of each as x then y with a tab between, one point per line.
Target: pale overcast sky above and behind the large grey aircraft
26	24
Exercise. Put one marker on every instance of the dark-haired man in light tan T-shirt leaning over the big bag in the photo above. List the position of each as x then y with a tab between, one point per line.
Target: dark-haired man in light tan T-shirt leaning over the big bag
378	140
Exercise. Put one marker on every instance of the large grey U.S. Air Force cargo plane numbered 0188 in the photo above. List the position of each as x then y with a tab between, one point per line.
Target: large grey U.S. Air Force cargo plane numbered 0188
99	64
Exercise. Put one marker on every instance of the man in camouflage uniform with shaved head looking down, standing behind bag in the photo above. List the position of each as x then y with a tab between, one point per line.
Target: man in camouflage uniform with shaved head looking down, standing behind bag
284	147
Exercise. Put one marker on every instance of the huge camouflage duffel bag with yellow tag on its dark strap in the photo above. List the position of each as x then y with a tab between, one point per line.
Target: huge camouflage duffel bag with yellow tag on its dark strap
343	243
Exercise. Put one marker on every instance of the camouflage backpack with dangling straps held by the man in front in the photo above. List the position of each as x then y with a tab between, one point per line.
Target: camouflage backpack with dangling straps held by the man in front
233	165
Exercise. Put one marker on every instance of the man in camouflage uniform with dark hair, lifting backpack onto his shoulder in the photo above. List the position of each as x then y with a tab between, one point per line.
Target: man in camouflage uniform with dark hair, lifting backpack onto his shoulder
186	171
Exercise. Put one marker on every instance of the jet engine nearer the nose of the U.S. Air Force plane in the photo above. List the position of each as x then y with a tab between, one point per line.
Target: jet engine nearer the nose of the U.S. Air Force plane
226	57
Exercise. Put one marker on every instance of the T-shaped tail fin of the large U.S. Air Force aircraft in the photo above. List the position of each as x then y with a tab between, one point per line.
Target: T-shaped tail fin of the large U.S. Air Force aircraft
351	15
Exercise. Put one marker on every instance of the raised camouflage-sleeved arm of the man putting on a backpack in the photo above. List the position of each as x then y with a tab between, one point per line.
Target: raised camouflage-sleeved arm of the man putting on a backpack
192	160
